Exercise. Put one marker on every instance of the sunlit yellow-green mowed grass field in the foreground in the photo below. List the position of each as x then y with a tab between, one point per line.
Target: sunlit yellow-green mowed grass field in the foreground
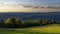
47	29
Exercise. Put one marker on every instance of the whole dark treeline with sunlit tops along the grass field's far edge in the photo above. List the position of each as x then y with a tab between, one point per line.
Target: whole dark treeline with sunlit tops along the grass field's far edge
17	23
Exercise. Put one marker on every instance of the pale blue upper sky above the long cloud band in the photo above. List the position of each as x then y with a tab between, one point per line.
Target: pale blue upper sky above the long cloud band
35	2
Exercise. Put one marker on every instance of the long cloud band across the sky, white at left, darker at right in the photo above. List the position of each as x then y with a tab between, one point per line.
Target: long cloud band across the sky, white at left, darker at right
12	4
